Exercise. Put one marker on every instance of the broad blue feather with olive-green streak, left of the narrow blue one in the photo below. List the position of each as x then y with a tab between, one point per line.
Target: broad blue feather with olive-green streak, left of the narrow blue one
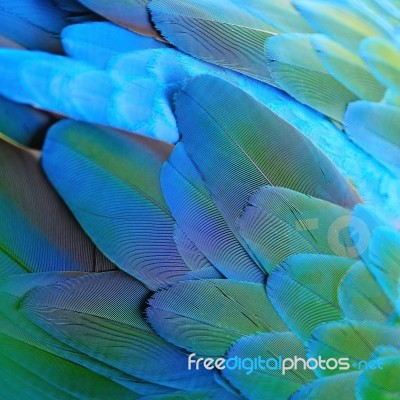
117	199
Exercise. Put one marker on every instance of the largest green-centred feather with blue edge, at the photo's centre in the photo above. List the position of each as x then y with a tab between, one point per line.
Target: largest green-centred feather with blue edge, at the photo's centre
255	148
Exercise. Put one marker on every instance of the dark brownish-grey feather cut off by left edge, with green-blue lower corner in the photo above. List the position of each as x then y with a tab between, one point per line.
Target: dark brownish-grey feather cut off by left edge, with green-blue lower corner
37	232
